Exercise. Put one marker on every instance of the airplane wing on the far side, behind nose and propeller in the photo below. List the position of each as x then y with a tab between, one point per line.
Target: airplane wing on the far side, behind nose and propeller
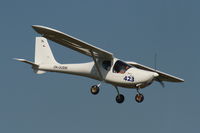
162	76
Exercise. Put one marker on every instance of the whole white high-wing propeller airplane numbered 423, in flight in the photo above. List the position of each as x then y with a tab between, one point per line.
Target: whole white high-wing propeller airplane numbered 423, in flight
104	67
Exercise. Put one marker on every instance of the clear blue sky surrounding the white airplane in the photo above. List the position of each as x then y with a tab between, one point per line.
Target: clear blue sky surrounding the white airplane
134	30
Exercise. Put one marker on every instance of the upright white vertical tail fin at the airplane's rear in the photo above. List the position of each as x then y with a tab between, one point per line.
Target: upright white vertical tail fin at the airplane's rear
43	53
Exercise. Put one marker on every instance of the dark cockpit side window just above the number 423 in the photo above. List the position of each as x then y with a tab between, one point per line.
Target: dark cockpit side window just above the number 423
120	67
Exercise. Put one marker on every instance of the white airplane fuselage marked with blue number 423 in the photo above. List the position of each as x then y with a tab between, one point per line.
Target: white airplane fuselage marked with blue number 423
129	79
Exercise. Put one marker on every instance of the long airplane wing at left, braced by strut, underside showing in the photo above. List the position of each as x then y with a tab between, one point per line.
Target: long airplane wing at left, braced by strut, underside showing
71	42
